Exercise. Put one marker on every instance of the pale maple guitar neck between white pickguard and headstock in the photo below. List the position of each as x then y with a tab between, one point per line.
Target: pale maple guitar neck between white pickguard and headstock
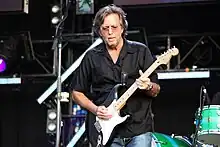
122	100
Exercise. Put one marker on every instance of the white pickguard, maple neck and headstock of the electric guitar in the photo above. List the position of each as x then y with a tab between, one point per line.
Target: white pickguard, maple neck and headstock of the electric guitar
107	126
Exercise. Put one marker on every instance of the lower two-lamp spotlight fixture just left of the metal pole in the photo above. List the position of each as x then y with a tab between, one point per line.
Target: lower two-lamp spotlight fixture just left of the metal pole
51	121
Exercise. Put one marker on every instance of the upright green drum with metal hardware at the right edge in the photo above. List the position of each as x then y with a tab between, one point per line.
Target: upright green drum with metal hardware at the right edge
209	128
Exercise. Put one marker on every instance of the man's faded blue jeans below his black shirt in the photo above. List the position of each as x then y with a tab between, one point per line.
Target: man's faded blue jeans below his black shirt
136	141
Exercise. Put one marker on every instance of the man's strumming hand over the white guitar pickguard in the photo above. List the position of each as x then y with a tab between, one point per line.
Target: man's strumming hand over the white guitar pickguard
103	113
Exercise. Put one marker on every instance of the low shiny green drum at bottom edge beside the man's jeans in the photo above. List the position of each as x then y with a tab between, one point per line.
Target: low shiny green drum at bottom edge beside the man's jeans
162	140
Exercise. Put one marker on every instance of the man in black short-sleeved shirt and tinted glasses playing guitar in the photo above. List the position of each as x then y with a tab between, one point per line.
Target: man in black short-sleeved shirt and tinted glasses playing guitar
116	61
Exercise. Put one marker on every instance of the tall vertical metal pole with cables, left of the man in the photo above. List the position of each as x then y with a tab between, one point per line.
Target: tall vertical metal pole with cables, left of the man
58	46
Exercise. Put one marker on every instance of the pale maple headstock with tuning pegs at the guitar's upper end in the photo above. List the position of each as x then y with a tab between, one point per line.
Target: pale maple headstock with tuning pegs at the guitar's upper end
165	57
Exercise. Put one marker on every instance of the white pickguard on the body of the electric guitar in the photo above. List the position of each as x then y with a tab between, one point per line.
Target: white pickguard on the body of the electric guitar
107	126
